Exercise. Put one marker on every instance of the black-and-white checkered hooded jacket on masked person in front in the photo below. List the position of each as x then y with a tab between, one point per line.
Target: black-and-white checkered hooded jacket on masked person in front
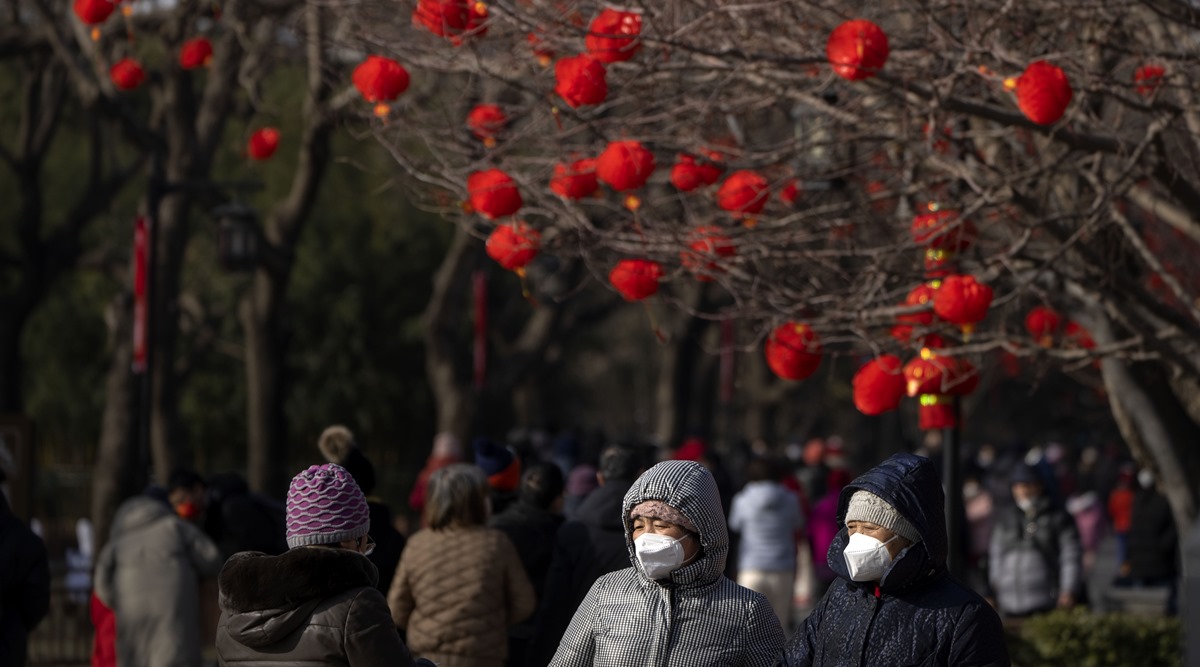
697	618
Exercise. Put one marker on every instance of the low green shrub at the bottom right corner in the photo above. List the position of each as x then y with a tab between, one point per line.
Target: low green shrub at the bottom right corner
1082	639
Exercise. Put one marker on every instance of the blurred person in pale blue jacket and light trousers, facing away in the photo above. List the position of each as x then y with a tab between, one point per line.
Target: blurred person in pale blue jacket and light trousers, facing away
767	518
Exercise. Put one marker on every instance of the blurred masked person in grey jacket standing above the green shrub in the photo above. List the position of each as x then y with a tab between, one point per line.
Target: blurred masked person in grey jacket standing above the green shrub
1035	557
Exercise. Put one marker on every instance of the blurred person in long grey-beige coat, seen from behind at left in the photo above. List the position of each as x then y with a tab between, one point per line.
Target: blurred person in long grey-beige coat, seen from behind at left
149	576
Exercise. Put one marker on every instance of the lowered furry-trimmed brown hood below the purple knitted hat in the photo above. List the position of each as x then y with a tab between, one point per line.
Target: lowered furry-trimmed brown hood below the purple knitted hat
267	598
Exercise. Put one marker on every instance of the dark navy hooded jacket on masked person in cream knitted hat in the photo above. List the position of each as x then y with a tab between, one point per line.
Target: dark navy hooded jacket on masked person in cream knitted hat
920	615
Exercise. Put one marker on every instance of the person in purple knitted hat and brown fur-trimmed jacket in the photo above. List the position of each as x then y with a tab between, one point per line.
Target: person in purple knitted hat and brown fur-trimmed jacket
317	603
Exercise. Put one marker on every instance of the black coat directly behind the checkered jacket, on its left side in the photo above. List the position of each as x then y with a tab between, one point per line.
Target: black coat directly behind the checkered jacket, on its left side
585	550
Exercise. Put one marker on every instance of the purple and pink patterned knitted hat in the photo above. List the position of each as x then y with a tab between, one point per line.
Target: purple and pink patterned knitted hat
326	507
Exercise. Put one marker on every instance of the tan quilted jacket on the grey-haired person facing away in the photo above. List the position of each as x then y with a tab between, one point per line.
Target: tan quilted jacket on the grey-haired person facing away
457	592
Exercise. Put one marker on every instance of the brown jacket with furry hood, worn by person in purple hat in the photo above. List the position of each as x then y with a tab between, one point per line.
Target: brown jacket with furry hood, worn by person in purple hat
308	606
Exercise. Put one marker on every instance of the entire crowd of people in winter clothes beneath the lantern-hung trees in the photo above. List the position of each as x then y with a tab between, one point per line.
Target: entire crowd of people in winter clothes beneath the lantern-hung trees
533	556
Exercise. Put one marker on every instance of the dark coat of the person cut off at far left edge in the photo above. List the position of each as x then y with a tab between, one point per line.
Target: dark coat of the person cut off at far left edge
25	585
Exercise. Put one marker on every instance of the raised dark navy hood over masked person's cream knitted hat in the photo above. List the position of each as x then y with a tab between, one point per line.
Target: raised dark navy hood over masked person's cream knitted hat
911	485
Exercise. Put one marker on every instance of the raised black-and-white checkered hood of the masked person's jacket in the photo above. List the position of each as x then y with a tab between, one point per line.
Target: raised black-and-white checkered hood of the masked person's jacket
689	488
